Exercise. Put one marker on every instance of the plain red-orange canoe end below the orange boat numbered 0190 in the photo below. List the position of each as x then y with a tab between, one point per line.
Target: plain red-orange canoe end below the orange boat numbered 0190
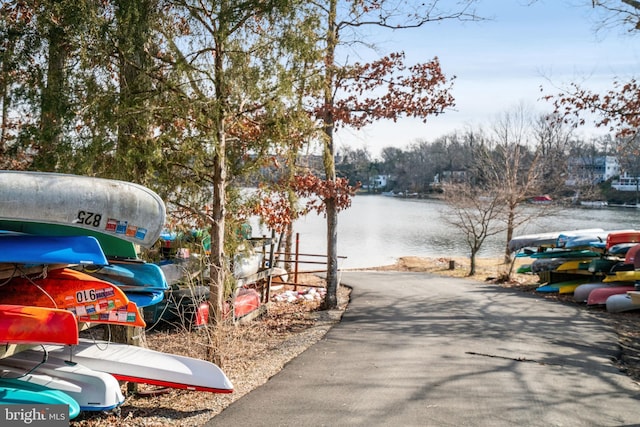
21	324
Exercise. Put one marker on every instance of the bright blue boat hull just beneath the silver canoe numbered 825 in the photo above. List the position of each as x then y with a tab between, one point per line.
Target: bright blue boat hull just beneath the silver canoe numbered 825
27	249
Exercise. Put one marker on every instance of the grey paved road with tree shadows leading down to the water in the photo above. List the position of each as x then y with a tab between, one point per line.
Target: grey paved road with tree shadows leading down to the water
414	349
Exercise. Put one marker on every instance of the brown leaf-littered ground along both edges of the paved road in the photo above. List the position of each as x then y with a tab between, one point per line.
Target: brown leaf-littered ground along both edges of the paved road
253	352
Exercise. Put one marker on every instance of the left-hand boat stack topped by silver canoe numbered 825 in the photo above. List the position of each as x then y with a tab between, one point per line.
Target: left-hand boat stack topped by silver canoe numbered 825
68	261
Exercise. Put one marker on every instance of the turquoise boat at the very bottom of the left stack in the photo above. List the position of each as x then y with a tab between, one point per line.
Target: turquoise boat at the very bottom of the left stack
16	392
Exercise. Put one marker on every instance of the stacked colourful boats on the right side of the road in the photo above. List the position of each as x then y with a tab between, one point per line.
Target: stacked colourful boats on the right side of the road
599	267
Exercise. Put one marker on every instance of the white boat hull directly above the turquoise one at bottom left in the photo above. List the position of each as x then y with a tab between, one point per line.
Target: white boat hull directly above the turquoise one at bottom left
93	390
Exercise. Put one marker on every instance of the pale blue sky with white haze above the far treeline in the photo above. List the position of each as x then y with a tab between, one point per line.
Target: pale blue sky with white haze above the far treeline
502	63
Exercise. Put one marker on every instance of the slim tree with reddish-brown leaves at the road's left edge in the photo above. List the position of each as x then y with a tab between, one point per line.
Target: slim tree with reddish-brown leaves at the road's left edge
359	94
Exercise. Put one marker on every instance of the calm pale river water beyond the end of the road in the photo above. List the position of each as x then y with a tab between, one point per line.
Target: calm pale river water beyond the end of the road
377	230
